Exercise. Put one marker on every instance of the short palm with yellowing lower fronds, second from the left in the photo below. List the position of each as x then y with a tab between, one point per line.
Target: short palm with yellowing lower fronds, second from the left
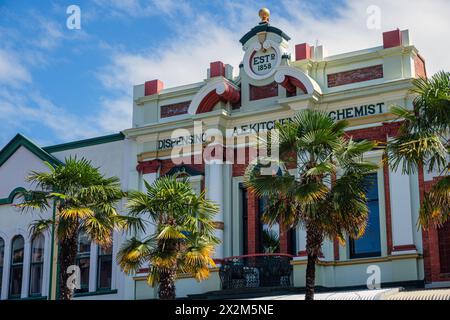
183	240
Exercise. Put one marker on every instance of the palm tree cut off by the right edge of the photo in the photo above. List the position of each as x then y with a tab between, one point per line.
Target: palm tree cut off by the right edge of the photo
423	141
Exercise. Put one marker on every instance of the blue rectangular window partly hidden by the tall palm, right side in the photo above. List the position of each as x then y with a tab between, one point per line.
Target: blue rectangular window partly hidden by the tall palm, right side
369	245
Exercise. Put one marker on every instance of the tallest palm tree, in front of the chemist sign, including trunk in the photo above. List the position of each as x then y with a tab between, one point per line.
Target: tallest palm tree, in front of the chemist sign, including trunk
327	195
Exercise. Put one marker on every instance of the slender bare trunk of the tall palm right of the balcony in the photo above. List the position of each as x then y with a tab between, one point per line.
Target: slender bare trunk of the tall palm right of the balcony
314	239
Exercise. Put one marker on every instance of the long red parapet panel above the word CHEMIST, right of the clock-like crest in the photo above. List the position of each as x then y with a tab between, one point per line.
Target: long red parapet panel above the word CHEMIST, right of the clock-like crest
355	76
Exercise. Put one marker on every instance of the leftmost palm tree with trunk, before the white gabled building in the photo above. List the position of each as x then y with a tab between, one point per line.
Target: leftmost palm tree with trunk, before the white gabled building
84	201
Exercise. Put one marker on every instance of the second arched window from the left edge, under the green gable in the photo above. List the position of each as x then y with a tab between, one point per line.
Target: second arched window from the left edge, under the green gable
15	275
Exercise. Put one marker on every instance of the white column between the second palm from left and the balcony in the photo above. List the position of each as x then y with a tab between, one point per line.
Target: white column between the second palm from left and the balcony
214	186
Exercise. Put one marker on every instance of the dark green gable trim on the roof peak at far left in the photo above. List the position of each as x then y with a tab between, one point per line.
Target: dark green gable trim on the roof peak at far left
21	141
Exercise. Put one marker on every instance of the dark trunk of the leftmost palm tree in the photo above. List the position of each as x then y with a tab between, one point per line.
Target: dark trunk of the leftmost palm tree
66	258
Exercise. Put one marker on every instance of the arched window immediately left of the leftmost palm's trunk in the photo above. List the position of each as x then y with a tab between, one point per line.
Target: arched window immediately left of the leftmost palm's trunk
37	265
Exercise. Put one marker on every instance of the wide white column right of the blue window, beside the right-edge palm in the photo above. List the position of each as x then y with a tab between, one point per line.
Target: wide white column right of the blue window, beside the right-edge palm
401	212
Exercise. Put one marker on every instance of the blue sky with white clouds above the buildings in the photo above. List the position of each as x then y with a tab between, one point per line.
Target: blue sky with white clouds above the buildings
59	85
